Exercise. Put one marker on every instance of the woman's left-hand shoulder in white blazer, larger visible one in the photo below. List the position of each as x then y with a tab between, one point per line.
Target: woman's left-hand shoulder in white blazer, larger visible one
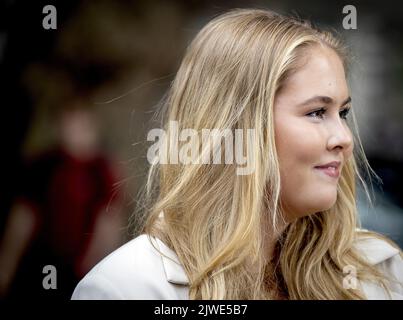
134	271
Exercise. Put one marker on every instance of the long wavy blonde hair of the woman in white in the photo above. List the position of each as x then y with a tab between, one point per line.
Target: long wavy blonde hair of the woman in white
214	219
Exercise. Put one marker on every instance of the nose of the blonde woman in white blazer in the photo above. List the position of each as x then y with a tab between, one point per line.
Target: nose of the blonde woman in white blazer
340	136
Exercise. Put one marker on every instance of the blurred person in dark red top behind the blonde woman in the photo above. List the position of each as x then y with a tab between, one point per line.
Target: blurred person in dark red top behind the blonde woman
66	212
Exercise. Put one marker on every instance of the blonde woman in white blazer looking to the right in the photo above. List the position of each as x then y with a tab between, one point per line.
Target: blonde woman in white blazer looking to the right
287	229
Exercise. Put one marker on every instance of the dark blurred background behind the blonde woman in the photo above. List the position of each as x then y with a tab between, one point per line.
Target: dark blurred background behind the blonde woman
78	102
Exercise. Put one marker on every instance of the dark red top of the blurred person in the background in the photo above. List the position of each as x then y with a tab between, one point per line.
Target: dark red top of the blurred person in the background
67	195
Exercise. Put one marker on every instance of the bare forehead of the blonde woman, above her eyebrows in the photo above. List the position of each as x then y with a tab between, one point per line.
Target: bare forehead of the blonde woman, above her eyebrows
321	73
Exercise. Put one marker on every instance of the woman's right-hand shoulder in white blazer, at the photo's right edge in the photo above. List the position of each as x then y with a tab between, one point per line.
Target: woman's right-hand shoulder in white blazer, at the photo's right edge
386	256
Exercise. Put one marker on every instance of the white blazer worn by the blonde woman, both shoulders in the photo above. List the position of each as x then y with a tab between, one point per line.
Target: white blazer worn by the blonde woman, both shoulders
137	271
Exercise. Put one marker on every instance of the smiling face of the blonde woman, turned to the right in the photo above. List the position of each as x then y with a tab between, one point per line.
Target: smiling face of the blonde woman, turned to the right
306	139
